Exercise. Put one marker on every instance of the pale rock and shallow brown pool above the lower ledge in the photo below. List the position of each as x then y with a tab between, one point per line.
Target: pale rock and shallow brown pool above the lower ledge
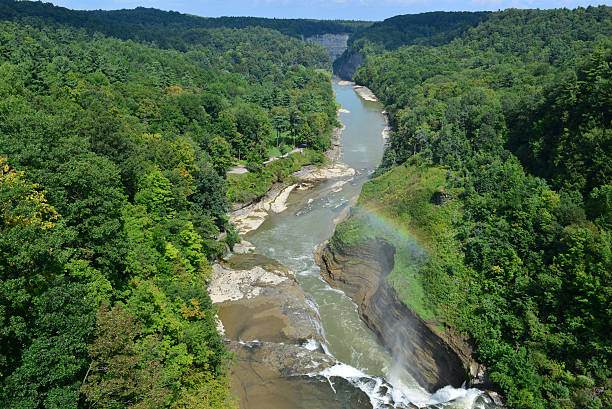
257	298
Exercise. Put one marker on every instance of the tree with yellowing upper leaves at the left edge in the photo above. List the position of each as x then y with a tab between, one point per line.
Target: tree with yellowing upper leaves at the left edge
32	254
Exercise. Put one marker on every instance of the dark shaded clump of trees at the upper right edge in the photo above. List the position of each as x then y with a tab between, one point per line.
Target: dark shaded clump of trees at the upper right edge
567	139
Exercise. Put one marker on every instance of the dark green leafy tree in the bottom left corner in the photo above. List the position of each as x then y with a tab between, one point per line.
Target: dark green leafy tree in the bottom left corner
55	361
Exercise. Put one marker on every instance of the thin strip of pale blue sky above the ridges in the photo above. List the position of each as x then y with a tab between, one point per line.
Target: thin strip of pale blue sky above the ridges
321	9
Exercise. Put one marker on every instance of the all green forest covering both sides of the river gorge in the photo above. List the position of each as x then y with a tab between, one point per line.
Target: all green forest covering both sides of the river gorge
117	130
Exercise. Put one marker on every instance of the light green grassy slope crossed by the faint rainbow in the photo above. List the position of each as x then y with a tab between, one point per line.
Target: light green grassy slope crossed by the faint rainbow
399	207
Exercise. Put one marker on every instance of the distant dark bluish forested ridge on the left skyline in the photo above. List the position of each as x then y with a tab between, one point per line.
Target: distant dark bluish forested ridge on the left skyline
167	29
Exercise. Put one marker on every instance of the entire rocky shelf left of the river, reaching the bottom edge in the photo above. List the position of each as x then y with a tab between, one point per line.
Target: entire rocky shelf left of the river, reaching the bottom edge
274	330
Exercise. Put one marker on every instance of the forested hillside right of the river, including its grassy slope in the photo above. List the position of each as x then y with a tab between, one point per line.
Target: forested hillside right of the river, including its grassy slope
500	165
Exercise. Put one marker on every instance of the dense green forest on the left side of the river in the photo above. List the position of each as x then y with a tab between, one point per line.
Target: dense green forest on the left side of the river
113	198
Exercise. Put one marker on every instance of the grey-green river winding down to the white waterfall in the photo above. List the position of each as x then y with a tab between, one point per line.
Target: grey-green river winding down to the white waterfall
291	237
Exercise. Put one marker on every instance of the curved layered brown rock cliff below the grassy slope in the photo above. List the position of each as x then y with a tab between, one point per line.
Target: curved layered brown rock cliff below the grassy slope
360	271
